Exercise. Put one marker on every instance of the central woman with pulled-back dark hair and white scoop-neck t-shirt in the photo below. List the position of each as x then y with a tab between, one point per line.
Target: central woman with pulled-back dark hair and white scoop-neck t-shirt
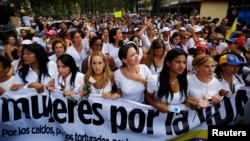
131	77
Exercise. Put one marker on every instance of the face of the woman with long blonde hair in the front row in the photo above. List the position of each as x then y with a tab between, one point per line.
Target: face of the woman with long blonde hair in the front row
97	64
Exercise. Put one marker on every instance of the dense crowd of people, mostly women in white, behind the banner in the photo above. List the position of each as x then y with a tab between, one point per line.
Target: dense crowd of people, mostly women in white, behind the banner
162	61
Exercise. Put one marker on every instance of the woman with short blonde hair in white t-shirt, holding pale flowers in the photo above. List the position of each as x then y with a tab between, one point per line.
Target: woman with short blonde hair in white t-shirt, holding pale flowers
203	86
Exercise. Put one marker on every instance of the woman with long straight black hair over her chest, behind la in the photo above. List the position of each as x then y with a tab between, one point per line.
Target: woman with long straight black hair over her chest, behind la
169	87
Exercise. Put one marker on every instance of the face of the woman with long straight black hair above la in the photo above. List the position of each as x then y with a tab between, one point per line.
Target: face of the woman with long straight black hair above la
178	65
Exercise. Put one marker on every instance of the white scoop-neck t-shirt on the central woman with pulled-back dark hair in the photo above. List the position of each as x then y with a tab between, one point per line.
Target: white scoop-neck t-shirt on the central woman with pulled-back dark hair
130	89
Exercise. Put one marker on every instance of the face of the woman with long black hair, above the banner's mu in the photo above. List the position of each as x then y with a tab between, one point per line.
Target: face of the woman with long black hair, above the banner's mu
29	57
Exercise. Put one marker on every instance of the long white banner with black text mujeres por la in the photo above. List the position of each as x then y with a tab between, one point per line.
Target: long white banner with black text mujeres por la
26	115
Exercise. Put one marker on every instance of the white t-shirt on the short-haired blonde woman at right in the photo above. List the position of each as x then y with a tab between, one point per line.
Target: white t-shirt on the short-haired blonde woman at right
198	89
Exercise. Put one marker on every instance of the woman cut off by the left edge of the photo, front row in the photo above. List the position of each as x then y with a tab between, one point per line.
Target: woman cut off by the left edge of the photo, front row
6	80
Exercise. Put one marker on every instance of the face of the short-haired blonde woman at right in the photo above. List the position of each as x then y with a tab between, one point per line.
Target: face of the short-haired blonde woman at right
206	70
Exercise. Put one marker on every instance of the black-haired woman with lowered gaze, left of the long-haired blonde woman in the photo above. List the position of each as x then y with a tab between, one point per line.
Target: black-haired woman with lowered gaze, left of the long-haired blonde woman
68	78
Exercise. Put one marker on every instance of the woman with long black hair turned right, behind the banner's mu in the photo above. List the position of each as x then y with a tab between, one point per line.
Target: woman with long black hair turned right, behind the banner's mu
36	70
